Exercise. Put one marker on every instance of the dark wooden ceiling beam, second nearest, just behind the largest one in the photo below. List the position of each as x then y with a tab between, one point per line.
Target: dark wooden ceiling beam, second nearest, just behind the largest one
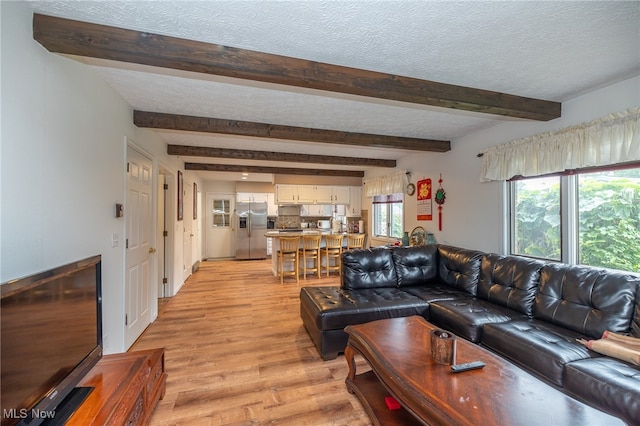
156	120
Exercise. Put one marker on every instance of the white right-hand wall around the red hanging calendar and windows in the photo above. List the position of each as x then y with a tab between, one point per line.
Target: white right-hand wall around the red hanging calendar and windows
474	212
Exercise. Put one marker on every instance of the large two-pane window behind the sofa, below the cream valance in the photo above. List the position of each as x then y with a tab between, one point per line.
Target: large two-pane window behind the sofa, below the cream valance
590	218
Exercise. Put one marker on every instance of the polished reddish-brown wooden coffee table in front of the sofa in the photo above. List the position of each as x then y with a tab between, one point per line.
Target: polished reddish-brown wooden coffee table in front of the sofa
398	351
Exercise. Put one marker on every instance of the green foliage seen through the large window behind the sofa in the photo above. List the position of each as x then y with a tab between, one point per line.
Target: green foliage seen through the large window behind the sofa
608	220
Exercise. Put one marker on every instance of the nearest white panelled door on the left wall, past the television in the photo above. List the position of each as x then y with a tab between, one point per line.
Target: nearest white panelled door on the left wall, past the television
139	251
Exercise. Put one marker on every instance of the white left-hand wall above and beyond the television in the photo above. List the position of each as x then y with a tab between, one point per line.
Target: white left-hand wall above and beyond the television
63	156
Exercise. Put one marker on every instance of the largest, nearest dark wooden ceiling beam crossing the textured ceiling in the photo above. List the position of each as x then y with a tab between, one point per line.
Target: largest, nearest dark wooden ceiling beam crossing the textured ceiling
99	41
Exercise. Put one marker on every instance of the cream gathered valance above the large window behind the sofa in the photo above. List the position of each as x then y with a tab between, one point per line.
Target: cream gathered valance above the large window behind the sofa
609	140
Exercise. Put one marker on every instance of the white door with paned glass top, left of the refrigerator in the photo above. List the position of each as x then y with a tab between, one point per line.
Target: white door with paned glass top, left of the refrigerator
219	223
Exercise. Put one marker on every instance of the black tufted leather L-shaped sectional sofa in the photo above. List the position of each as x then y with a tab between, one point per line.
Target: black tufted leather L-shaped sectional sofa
529	311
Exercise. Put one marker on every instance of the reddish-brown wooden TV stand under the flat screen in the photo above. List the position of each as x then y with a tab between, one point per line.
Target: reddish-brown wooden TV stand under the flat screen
127	387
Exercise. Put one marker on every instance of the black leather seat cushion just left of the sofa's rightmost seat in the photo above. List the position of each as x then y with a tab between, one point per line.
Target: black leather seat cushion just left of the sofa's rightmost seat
540	347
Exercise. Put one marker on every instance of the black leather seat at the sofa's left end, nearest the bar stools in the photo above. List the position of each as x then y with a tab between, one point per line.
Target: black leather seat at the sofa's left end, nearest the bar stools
334	308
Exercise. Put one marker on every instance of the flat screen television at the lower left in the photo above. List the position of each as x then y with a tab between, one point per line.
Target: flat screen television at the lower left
51	336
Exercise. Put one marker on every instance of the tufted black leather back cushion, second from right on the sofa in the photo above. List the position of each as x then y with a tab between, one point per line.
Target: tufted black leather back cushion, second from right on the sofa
510	281
